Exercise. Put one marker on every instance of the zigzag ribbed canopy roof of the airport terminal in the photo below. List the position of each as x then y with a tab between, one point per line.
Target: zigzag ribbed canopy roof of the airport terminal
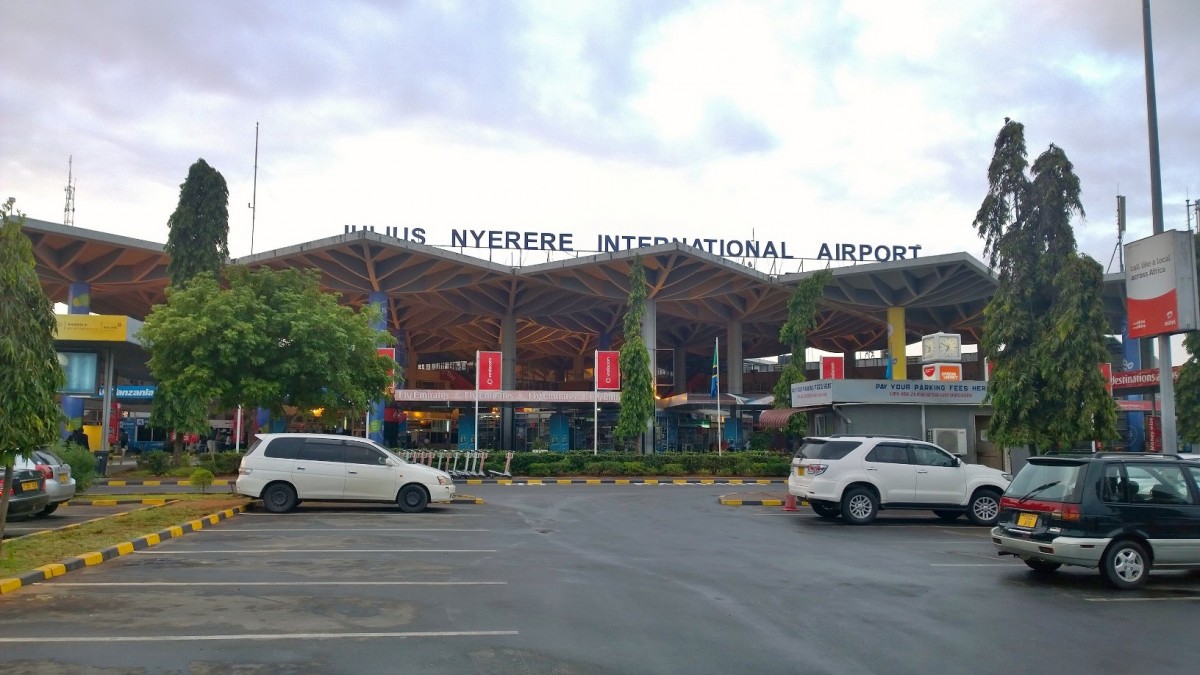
451	304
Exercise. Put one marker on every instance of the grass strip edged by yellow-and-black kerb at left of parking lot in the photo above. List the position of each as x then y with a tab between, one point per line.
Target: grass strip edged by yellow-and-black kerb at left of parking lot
31	553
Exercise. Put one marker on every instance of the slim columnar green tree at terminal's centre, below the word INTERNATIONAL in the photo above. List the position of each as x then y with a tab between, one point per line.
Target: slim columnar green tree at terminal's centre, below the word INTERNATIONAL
637	386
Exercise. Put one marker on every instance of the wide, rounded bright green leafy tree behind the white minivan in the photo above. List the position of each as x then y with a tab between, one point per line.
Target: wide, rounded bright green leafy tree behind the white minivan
271	339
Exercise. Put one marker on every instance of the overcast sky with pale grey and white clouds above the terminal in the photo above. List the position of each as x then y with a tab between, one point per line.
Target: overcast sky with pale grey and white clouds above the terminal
805	123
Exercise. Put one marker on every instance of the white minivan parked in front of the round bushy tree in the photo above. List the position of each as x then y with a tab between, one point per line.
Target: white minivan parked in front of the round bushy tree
287	469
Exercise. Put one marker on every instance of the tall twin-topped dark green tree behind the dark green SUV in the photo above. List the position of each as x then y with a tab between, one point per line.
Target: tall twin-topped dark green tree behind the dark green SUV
1045	330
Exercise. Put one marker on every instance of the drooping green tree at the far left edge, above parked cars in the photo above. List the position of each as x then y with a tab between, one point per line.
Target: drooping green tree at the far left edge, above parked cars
31	375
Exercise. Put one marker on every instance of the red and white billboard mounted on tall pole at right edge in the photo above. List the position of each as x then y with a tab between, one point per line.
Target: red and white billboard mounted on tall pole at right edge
1161	285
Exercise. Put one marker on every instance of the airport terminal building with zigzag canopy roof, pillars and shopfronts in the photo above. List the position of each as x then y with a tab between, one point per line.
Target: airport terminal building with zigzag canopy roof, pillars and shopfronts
549	320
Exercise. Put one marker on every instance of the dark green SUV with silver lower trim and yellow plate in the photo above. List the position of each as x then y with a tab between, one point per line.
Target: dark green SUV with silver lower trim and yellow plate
1123	513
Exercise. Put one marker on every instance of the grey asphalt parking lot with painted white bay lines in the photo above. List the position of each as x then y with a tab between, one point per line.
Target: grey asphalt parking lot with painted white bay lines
590	580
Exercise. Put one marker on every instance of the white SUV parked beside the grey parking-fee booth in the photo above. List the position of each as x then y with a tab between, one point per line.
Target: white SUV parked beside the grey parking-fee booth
857	476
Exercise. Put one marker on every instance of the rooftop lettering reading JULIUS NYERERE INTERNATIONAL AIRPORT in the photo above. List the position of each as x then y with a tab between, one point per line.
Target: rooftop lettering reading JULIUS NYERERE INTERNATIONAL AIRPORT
565	242
